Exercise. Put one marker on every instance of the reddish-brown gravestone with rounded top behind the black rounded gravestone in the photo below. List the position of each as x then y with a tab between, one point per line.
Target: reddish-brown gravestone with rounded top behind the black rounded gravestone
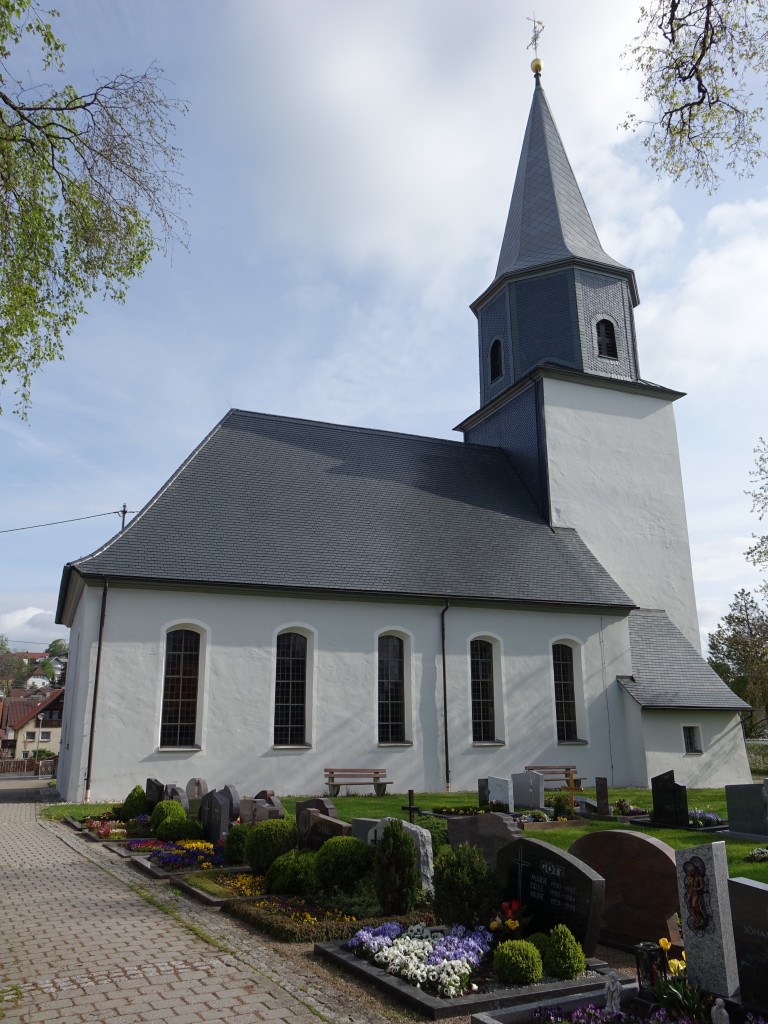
642	897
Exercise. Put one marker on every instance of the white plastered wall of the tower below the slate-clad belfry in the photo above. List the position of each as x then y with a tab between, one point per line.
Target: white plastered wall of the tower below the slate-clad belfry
615	477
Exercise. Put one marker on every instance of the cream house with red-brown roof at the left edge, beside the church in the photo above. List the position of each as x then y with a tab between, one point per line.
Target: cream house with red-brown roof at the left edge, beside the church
31	722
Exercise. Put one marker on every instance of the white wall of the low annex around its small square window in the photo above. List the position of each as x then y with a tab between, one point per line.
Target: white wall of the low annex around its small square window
723	760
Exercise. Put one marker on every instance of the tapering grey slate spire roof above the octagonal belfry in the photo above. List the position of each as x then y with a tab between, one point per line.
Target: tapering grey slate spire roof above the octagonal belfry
548	220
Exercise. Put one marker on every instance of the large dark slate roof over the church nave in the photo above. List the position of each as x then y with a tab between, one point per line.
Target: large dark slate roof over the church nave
269	501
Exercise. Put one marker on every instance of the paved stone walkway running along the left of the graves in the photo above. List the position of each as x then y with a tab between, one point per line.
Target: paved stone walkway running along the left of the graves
80	944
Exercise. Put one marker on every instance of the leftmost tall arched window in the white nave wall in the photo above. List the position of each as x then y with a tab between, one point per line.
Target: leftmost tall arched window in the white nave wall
180	722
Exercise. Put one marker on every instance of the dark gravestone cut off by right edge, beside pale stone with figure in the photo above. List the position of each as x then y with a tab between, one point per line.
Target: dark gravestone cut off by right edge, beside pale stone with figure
750	915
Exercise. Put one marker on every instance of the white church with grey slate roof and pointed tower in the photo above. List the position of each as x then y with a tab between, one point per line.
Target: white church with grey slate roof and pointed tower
305	595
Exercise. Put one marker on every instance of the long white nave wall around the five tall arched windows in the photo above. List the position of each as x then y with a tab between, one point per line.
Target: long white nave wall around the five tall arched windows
237	693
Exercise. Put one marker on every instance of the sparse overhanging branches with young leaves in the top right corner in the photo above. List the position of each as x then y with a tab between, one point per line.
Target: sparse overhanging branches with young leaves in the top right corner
700	61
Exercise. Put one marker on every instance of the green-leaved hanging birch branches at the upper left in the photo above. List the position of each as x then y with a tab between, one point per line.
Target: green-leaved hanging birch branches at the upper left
89	191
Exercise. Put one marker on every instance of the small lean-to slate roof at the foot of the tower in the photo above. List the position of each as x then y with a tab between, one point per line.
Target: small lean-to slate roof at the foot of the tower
669	672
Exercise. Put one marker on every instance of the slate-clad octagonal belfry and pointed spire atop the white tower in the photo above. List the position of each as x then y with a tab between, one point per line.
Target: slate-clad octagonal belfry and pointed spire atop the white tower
558	298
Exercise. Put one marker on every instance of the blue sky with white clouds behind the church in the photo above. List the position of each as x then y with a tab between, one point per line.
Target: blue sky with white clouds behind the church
350	168
